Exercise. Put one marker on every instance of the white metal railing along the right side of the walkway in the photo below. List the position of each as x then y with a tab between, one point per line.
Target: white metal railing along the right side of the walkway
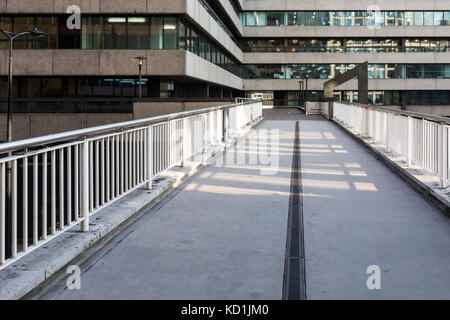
421	139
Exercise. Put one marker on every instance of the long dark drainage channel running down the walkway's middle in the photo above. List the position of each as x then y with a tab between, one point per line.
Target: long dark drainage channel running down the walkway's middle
294	281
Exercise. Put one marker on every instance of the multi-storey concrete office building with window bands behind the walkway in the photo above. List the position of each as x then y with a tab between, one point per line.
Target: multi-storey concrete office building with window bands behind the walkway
202	52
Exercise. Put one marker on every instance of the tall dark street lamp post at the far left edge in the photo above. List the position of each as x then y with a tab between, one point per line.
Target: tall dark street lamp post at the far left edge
11	37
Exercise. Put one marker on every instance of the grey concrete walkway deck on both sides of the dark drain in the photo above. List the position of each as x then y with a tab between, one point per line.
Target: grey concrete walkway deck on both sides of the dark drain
223	234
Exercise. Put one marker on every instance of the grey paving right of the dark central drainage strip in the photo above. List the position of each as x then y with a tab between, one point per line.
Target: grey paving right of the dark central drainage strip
359	213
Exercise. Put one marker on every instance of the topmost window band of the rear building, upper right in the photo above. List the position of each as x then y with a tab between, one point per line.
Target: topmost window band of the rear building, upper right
346	18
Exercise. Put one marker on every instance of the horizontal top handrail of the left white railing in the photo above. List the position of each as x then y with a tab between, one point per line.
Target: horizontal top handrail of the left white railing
85	133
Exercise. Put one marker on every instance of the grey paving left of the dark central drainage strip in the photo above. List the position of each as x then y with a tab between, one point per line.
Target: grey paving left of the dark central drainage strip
222	237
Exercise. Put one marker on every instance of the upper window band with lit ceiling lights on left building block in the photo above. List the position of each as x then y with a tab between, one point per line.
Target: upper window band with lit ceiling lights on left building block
116	32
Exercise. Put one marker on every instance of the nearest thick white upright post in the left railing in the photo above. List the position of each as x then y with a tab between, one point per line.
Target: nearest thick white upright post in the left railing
84	186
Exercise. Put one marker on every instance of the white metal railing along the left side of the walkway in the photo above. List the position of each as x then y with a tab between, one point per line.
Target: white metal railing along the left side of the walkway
49	184
